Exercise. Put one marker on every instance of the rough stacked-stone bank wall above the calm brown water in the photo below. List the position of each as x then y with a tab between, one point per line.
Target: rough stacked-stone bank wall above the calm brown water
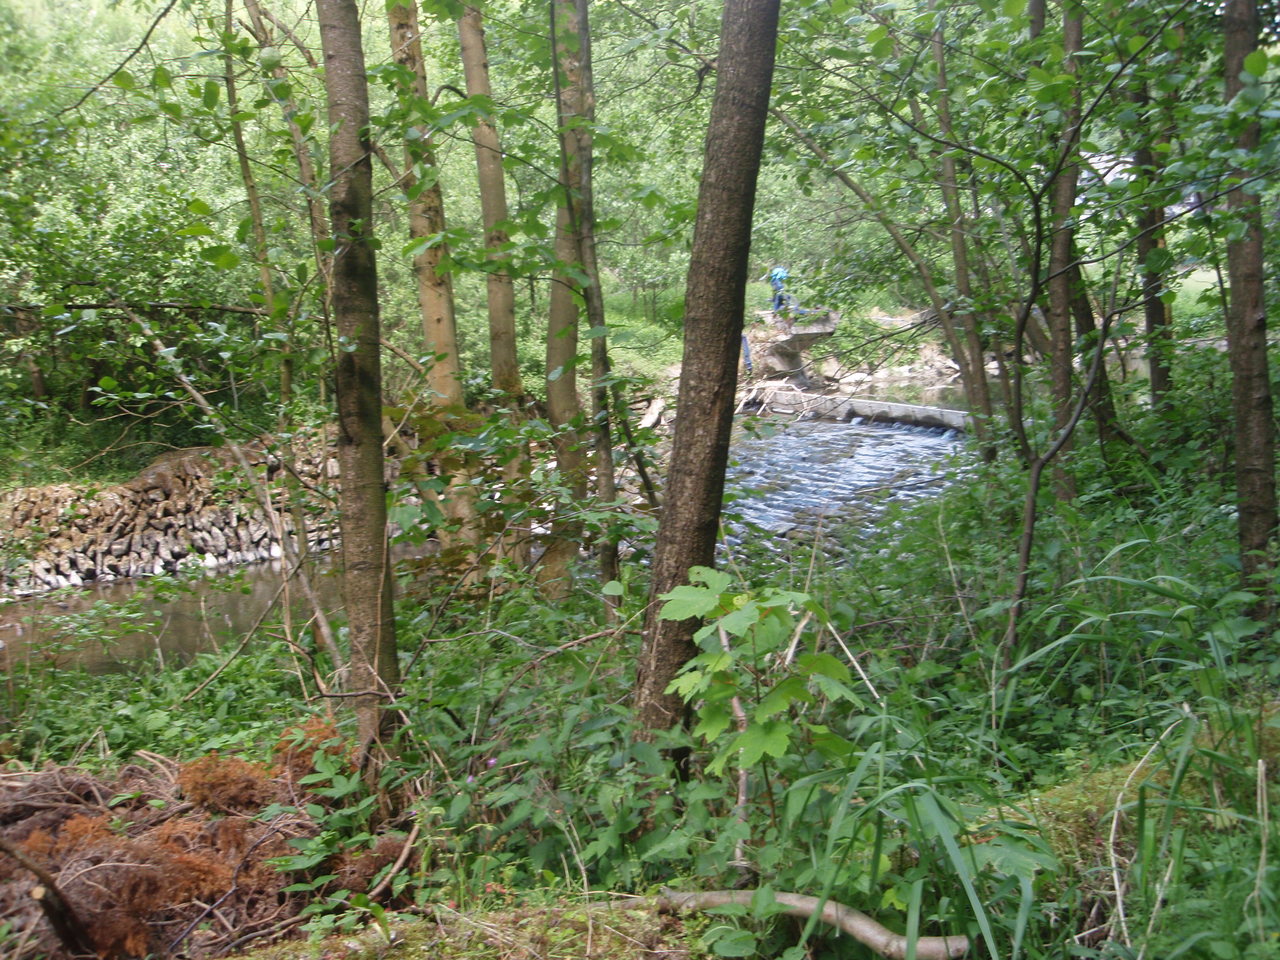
189	508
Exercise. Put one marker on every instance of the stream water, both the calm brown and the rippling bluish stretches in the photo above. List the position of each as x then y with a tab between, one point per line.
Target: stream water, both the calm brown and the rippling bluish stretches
792	481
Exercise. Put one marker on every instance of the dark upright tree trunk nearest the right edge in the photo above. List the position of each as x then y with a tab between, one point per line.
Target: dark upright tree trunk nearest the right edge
1247	322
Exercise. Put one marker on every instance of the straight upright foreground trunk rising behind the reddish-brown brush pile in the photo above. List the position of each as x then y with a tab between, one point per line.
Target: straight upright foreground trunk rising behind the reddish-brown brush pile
367	568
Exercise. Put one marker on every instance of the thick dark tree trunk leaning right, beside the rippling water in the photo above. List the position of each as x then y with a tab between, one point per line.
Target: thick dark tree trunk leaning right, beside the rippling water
715	303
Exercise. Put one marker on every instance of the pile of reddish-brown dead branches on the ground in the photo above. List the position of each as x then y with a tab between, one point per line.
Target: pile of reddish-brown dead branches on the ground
162	860
